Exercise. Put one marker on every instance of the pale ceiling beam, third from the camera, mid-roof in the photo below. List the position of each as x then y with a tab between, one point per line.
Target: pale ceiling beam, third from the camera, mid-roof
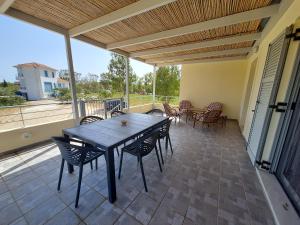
203	44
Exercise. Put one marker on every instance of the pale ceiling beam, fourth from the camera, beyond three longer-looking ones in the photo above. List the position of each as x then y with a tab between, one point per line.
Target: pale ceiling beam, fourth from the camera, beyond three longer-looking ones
200	55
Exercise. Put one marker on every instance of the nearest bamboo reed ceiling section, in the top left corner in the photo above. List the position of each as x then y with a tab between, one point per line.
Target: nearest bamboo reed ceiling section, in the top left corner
69	13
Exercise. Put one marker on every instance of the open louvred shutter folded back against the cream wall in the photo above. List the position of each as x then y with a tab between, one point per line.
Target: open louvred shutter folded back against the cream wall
267	94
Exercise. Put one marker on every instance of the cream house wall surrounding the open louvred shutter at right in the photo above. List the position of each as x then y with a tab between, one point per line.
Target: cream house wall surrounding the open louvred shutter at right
289	17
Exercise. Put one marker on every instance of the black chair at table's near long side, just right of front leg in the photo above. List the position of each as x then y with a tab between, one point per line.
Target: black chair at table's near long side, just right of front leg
140	148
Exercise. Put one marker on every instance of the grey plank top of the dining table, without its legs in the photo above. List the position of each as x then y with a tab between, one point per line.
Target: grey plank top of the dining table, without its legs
110	133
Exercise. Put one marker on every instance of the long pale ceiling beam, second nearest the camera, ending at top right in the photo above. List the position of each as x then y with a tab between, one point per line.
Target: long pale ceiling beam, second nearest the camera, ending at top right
205	25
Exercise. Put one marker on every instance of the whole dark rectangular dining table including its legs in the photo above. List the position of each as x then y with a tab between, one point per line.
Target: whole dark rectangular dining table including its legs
108	134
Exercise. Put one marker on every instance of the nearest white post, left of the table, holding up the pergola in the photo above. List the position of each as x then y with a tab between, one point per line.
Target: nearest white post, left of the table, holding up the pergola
72	78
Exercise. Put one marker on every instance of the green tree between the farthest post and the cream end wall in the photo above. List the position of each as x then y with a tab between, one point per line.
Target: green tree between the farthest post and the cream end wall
168	81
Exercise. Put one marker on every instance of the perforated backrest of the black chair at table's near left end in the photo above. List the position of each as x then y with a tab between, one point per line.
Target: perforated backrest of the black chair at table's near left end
73	154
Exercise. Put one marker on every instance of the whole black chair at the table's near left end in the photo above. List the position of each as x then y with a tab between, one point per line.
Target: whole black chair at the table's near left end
76	156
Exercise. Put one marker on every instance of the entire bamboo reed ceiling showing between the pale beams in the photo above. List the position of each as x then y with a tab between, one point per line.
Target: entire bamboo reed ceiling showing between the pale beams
71	13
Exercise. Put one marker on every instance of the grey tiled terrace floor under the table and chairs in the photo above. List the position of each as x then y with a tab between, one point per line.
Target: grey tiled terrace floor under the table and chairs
208	180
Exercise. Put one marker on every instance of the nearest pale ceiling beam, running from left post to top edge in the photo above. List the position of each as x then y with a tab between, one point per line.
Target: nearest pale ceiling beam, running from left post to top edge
118	15
